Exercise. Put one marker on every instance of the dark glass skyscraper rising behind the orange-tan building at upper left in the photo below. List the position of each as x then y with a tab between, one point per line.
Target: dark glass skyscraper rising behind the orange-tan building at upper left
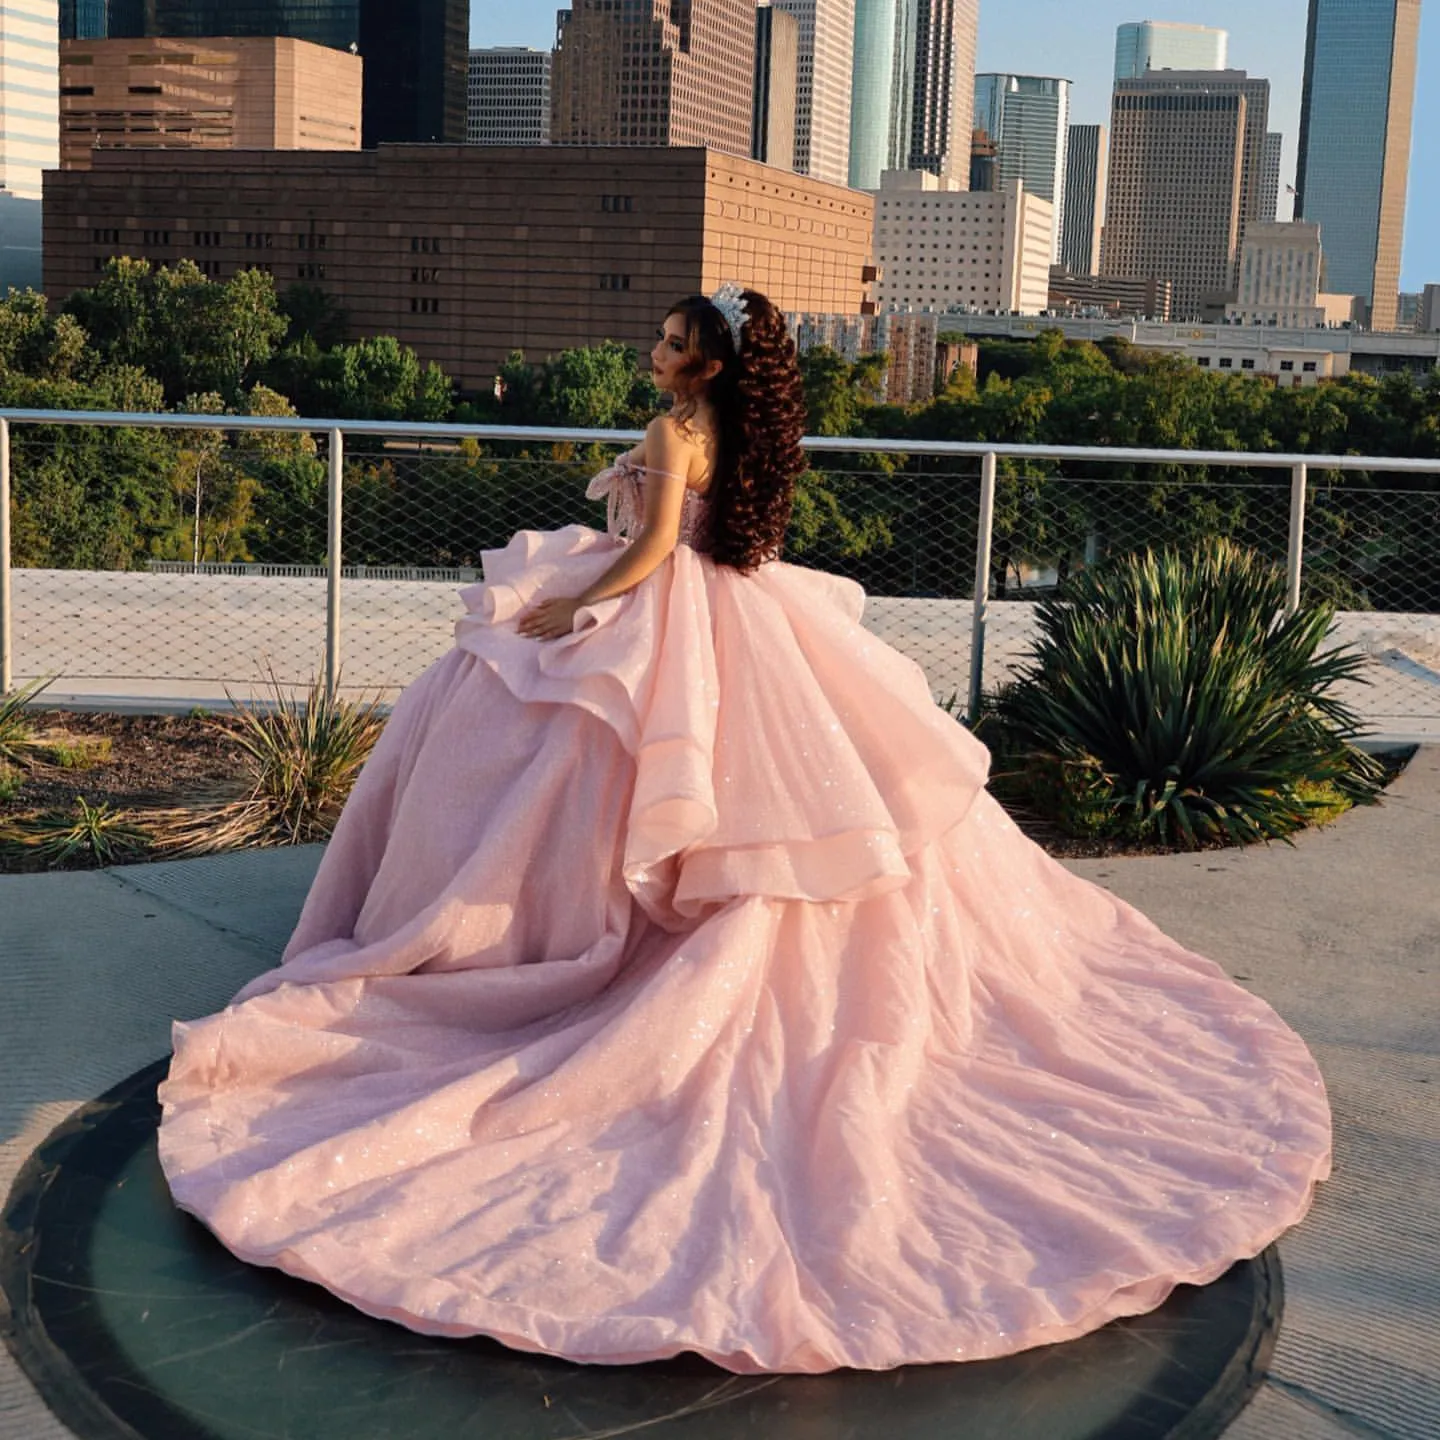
414	51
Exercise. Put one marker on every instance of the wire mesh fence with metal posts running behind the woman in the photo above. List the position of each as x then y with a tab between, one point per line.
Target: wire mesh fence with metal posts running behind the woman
165	561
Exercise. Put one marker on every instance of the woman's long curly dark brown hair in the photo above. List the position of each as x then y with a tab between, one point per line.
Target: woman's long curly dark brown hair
760	404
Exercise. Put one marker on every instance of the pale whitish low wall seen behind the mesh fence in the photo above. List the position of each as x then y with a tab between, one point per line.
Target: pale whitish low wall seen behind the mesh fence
194	639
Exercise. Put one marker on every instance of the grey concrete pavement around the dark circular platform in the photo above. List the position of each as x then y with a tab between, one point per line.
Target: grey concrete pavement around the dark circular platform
1341	934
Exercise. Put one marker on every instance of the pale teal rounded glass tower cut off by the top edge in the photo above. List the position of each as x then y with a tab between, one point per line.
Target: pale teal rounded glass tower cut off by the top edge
882	90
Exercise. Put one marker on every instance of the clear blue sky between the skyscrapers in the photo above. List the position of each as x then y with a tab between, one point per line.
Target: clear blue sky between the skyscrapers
1076	40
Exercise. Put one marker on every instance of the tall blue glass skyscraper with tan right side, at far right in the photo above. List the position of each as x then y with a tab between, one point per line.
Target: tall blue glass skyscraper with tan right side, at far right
1356	112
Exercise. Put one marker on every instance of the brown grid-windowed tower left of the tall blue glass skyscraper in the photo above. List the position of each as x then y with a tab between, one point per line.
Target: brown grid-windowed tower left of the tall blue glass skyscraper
1187	156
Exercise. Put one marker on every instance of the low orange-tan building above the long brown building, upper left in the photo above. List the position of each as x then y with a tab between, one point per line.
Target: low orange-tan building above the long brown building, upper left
221	94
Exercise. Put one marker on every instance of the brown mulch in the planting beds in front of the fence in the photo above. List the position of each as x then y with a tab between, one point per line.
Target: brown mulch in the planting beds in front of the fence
158	762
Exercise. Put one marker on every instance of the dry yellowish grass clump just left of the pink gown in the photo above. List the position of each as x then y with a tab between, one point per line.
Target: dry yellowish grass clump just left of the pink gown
303	760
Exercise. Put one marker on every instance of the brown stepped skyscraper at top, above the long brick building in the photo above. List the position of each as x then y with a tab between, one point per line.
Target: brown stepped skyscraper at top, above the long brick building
653	74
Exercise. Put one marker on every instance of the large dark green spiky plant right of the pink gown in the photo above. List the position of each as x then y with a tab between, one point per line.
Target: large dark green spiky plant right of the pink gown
1170	698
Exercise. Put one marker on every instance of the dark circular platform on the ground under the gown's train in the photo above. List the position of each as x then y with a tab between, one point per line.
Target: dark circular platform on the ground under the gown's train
133	1321
